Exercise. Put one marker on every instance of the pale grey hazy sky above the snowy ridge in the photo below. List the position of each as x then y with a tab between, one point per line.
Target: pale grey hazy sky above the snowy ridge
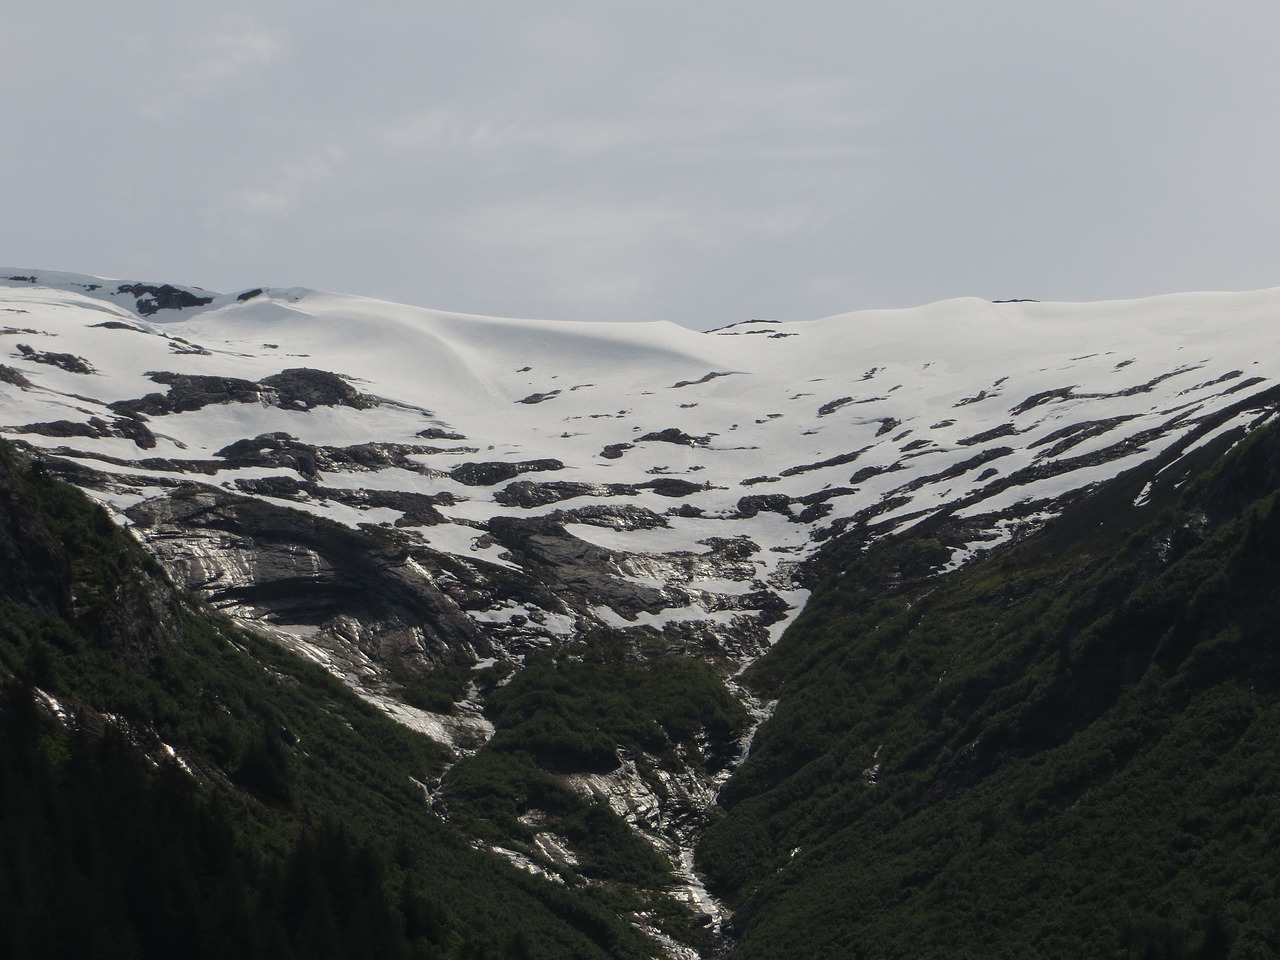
700	162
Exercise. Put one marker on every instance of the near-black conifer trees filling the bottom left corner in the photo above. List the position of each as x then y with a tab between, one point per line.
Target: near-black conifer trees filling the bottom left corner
109	857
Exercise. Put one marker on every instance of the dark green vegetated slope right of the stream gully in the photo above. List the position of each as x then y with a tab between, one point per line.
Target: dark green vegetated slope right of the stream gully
1066	751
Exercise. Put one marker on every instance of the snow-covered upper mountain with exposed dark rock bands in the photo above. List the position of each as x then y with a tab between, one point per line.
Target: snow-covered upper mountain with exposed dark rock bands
647	474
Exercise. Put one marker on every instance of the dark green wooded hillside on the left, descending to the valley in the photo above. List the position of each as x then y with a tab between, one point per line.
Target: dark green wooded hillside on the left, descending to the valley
301	829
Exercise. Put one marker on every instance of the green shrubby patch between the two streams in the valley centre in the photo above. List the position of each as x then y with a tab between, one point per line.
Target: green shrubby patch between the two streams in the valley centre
575	712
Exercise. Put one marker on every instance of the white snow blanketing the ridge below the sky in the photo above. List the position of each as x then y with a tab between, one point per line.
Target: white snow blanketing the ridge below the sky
911	392
